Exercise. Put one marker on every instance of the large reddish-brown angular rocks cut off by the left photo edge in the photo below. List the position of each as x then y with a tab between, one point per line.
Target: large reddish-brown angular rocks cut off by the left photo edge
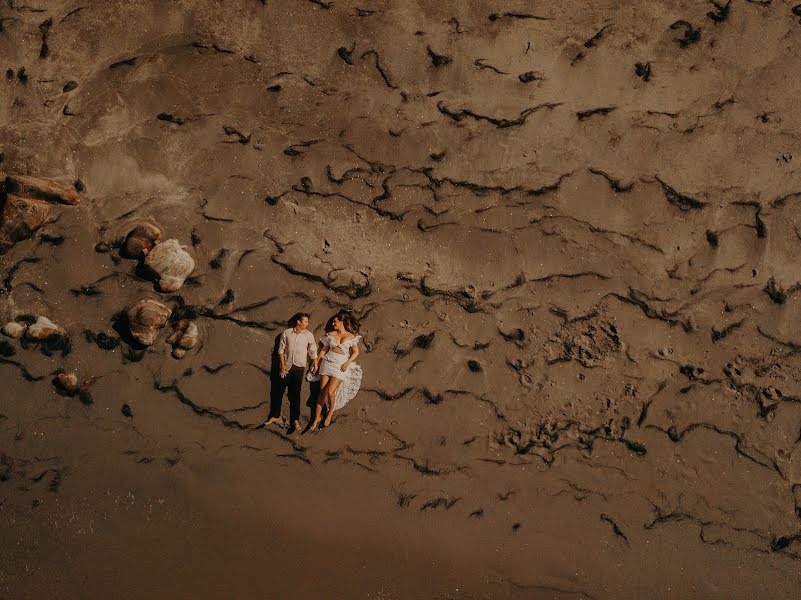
27	203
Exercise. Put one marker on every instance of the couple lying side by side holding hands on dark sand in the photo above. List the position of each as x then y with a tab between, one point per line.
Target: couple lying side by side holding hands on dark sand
332	366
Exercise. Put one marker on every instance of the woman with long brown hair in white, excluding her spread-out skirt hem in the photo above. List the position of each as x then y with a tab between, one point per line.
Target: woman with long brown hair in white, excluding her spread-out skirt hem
338	349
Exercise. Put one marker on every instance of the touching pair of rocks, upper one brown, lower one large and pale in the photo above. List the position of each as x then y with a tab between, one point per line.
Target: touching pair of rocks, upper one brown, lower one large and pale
168	261
